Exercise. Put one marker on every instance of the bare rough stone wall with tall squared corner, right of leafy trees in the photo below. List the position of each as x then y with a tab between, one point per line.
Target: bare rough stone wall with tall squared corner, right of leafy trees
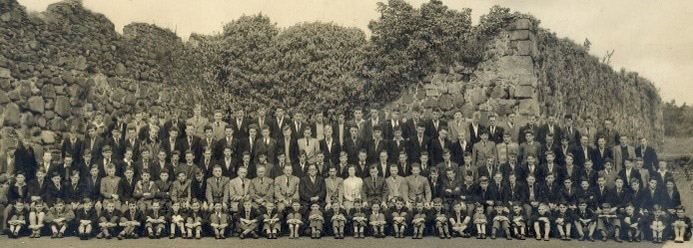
505	82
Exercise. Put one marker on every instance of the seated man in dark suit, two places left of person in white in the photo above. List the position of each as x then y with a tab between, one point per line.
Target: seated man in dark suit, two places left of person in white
311	189
